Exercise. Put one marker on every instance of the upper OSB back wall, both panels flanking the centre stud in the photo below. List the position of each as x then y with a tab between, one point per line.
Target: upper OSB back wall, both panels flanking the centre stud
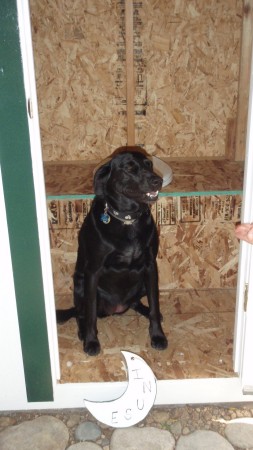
186	68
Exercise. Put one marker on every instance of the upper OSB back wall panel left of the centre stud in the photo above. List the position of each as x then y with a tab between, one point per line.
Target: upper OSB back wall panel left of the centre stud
80	76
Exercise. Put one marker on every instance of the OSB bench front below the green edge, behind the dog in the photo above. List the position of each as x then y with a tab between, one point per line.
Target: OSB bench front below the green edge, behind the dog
198	248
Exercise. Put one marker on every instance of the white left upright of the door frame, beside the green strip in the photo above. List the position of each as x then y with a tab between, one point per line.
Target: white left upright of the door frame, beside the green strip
39	182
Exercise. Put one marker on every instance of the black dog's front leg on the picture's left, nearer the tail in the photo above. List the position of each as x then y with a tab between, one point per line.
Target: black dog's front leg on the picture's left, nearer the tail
85	290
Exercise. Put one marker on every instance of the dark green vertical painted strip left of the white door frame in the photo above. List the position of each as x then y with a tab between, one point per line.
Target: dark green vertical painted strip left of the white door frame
16	166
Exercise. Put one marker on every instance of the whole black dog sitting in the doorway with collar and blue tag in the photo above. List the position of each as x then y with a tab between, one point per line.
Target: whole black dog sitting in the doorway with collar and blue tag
118	244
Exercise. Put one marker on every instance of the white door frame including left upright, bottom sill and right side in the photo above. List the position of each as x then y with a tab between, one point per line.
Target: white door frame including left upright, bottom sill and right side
193	391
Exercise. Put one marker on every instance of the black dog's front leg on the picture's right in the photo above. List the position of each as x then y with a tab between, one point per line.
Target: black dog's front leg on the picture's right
158	338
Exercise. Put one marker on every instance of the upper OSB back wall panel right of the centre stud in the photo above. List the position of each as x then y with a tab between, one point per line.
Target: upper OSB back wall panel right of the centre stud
191	63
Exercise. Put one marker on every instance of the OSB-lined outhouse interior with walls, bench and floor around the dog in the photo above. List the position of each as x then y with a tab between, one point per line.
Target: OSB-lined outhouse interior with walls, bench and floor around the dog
190	62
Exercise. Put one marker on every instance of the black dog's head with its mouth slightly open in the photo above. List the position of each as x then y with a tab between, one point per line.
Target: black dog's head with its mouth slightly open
130	174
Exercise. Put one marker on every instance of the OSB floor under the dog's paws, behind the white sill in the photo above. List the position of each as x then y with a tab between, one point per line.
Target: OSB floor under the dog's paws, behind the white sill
199	325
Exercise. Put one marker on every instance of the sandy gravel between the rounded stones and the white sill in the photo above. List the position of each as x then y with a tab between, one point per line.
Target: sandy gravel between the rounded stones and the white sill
178	420
